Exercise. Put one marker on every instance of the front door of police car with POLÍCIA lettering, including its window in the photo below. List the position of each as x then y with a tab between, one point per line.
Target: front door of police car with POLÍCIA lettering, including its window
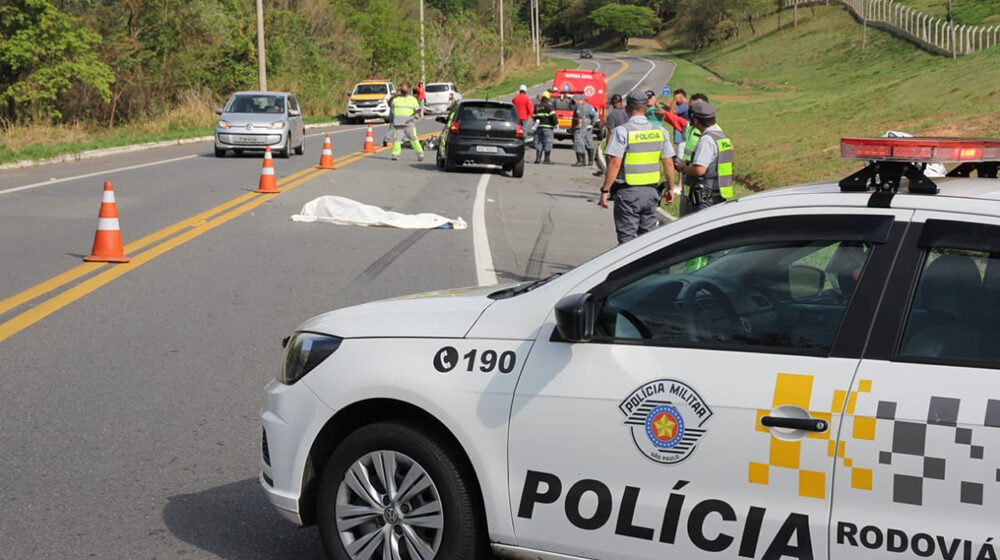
699	420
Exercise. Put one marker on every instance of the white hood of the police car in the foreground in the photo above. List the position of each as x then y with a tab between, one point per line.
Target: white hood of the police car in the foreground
444	314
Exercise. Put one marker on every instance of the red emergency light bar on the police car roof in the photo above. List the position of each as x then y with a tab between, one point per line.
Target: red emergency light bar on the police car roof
923	150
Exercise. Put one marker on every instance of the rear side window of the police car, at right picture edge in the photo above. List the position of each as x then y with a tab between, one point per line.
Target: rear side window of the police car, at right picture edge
952	313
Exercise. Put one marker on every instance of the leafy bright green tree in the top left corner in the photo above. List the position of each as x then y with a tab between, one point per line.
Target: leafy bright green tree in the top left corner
44	54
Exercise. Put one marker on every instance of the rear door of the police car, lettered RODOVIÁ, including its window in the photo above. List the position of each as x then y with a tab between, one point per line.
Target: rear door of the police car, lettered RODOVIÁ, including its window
921	474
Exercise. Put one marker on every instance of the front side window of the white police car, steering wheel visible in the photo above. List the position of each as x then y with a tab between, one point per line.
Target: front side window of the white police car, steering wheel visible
784	295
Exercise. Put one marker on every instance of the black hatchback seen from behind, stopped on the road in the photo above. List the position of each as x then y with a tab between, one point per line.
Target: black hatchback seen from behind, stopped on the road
482	131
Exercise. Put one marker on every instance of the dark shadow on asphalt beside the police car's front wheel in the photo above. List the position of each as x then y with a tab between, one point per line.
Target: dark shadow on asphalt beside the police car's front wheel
236	522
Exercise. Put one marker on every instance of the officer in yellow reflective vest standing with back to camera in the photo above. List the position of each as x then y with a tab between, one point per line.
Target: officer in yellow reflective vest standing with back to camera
637	152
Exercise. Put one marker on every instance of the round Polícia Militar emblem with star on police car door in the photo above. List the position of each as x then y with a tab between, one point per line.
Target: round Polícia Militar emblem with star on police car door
666	418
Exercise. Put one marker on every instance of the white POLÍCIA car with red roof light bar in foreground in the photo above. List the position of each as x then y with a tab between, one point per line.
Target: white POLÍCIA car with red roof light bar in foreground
807	373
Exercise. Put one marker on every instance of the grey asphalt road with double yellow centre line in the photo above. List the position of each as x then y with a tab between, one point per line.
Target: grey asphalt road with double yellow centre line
130	392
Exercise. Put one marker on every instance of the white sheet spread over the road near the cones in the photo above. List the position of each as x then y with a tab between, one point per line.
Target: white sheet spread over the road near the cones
344	211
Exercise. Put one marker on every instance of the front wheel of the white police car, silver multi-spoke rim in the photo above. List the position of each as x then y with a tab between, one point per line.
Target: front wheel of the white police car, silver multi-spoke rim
390	491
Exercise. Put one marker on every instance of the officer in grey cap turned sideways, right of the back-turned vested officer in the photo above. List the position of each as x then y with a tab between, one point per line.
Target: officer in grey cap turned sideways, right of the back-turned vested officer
711	167
